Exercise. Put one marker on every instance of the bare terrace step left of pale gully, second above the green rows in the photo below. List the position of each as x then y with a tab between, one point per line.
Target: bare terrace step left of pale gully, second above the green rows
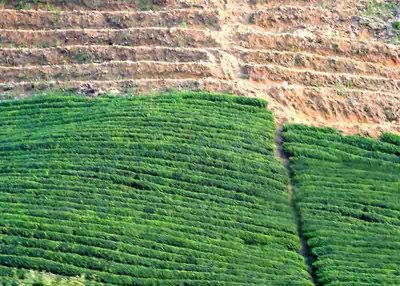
111	70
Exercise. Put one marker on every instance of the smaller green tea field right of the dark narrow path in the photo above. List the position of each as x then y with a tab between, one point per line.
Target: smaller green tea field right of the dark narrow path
347	191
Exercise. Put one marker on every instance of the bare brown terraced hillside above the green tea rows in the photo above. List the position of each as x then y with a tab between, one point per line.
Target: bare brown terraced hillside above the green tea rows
310	59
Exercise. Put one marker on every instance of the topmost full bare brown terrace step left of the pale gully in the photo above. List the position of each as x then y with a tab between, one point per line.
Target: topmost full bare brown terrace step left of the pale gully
39	20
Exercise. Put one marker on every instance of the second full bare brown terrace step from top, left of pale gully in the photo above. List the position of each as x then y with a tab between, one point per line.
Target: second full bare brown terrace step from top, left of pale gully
169	37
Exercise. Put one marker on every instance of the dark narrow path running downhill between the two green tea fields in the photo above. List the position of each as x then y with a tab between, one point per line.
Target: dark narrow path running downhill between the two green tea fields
305	250
